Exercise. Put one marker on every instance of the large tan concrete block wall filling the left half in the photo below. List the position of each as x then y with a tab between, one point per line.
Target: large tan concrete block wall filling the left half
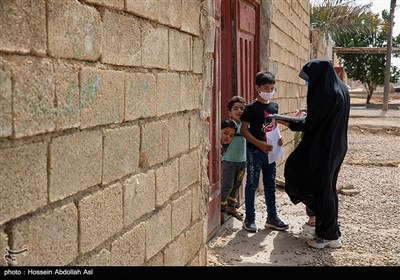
103	131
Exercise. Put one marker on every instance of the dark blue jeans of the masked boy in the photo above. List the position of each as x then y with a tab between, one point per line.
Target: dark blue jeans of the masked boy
257	161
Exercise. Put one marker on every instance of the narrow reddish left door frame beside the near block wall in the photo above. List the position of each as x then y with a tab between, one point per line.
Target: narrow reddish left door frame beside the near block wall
214	156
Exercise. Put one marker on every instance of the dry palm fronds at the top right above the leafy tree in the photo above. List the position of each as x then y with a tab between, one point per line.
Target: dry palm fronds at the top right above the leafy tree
339	18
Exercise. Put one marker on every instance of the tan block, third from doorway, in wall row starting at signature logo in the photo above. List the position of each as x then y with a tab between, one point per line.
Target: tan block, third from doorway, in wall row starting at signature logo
139	196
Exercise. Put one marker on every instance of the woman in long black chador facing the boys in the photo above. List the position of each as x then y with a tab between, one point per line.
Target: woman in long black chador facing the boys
312	169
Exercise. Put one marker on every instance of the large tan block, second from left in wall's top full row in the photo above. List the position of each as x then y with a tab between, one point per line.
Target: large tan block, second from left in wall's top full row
78	36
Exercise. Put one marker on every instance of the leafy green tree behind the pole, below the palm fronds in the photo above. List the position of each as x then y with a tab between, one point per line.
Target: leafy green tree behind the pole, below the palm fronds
368	68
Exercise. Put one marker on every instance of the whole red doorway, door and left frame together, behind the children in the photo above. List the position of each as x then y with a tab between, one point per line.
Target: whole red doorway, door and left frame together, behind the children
235	64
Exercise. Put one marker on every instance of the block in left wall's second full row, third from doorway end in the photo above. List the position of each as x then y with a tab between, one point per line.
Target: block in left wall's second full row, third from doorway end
140	96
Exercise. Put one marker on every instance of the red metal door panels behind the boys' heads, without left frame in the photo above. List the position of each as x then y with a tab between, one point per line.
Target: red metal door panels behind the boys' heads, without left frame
240	50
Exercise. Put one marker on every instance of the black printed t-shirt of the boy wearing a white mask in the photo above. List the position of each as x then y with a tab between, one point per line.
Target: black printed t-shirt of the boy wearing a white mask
256	114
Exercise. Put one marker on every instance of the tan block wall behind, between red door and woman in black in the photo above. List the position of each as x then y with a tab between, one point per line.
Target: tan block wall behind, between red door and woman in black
284	48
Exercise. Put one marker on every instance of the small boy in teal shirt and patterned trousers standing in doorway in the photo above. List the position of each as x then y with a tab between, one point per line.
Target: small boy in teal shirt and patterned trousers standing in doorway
234	163
